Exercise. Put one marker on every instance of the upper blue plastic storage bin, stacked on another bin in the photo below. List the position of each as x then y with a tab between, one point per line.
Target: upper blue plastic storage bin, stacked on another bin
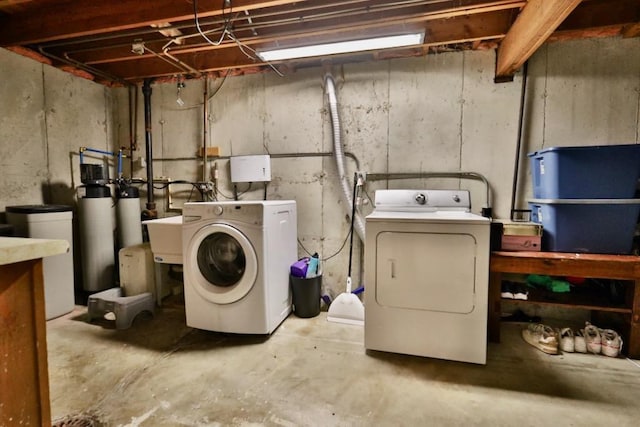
596	172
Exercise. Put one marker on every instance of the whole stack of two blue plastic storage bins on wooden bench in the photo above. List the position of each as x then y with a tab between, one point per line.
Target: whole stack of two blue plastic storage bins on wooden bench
584	197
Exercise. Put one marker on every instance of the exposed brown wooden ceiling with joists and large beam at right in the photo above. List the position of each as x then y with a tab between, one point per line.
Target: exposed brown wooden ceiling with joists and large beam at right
120	41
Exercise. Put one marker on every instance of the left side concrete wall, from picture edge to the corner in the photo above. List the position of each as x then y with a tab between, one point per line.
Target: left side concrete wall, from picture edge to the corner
46	115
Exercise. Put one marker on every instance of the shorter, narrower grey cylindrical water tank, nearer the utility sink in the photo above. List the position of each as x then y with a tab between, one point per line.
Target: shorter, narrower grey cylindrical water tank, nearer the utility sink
128	216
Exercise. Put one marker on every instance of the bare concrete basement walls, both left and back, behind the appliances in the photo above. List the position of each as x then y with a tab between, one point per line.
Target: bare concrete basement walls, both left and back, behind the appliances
432	114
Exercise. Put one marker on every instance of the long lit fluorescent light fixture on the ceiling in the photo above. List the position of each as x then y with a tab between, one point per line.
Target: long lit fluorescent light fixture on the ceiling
342	47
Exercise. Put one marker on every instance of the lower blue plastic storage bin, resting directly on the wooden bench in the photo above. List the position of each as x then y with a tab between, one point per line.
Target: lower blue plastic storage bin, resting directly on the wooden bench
605	226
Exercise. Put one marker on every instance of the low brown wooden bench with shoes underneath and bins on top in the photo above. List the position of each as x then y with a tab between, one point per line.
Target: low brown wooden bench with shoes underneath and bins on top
620	267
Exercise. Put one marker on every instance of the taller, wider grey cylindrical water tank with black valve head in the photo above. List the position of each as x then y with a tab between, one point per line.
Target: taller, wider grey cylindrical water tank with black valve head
96	238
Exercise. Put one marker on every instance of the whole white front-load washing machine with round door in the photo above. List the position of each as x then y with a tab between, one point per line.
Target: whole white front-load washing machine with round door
236	261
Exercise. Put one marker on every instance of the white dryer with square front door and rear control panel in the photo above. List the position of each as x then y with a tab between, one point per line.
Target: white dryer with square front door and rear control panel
426	275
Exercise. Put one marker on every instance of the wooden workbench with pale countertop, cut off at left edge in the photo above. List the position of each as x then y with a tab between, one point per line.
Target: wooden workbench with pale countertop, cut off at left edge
24	379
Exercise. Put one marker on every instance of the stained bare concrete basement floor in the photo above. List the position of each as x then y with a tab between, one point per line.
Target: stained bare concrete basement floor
311	372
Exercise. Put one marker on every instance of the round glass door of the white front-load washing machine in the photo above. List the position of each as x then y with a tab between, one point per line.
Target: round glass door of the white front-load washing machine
223	263
